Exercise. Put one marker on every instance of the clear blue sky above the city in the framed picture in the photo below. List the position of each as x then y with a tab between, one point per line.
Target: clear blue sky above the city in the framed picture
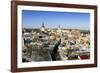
52	19
